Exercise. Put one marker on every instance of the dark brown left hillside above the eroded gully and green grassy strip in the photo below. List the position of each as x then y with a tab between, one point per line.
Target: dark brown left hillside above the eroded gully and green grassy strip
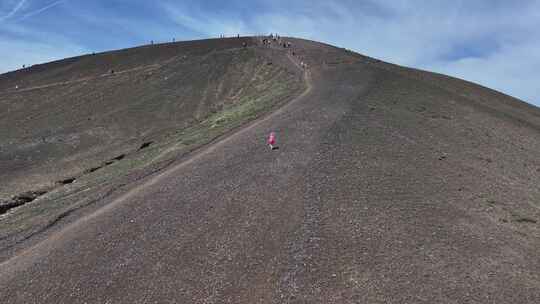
72	115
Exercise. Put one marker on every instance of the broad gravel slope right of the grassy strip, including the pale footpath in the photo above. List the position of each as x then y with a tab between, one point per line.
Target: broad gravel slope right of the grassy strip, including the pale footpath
390	185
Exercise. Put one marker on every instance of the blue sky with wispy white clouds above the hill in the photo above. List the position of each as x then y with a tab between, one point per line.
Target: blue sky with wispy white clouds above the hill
492	42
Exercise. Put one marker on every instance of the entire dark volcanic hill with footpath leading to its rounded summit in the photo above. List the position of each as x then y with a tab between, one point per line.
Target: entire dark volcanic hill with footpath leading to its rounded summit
143	176
